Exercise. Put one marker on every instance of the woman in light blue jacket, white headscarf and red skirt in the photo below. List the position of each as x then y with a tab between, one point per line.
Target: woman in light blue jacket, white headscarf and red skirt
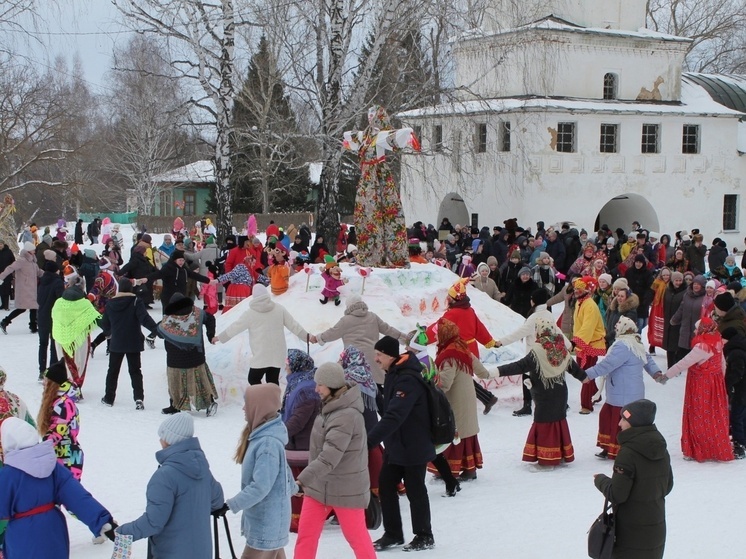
623	364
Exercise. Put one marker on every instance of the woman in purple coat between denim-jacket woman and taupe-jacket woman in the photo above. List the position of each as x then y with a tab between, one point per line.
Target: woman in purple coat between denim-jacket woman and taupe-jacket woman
300	406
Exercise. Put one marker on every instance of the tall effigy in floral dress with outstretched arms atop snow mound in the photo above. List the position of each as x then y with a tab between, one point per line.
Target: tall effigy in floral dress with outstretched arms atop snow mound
379	218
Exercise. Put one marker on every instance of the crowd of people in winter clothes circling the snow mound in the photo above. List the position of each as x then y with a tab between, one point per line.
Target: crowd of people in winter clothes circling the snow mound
355	434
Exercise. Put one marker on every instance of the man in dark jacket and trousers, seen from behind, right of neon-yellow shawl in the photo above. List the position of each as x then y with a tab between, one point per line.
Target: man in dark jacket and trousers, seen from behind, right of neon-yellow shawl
121	322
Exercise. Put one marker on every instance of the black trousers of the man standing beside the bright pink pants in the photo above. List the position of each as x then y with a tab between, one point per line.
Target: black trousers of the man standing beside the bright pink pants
419	505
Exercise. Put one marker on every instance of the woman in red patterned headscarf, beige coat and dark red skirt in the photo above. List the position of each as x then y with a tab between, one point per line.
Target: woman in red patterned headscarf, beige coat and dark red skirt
456	366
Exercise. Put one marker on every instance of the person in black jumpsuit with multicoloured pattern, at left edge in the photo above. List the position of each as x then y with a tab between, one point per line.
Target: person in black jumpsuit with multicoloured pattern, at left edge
58	419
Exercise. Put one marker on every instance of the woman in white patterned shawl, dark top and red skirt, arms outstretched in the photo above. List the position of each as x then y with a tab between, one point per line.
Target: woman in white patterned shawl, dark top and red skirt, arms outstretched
548	441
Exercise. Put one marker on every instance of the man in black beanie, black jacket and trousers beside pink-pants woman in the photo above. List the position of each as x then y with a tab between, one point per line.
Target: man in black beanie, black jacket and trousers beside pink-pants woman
405	431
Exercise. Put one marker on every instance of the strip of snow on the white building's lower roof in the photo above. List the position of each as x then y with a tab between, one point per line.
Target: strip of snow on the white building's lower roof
695	101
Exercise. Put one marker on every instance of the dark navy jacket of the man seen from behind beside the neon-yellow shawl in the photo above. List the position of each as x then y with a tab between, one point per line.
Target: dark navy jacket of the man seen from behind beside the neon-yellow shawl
122	319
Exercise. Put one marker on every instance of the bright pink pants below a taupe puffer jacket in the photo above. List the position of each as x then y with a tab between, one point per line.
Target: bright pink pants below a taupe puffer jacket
352	522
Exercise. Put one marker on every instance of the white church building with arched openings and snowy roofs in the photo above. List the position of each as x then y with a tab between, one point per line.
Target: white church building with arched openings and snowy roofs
573	111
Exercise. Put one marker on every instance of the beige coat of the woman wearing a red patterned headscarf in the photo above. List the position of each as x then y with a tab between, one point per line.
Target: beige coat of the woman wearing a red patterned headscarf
459	389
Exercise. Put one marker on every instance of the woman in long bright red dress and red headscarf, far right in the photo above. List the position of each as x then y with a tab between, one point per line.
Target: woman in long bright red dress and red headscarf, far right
705	425
